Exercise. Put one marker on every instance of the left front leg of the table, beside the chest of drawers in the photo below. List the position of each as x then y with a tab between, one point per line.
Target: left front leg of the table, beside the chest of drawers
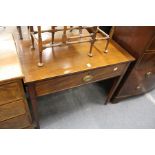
33	99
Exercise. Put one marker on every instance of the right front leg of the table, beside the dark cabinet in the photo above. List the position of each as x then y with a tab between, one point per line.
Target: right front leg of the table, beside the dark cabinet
115	85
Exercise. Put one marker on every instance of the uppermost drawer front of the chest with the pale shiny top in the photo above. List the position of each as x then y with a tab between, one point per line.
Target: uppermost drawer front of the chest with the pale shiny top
10	92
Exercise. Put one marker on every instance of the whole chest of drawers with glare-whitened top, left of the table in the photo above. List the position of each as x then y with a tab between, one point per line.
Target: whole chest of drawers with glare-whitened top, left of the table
14	111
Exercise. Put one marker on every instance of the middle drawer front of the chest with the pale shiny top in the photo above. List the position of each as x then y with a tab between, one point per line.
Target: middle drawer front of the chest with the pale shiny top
11	110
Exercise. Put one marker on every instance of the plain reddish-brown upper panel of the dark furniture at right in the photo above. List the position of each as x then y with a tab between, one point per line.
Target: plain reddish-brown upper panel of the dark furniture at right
135	39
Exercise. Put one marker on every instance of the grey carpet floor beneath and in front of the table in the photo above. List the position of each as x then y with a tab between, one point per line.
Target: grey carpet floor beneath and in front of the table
83	107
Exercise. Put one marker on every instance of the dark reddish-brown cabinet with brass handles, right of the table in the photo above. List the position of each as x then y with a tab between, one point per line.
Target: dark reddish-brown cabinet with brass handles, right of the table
139	42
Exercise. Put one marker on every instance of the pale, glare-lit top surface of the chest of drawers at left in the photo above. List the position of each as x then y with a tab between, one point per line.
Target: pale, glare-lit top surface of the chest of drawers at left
9	63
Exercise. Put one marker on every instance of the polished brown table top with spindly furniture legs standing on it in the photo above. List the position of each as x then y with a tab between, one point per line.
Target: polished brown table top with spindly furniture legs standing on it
68	59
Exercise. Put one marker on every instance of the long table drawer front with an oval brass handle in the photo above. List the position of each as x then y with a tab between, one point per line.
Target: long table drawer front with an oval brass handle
70	81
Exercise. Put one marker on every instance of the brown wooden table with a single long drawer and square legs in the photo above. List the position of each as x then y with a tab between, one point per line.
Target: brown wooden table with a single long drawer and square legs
69	66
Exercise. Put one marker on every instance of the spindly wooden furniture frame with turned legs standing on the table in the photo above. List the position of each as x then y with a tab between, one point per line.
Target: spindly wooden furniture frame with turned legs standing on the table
36	37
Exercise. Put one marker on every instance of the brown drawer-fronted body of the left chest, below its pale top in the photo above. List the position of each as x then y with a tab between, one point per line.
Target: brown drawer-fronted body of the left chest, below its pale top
14	111
